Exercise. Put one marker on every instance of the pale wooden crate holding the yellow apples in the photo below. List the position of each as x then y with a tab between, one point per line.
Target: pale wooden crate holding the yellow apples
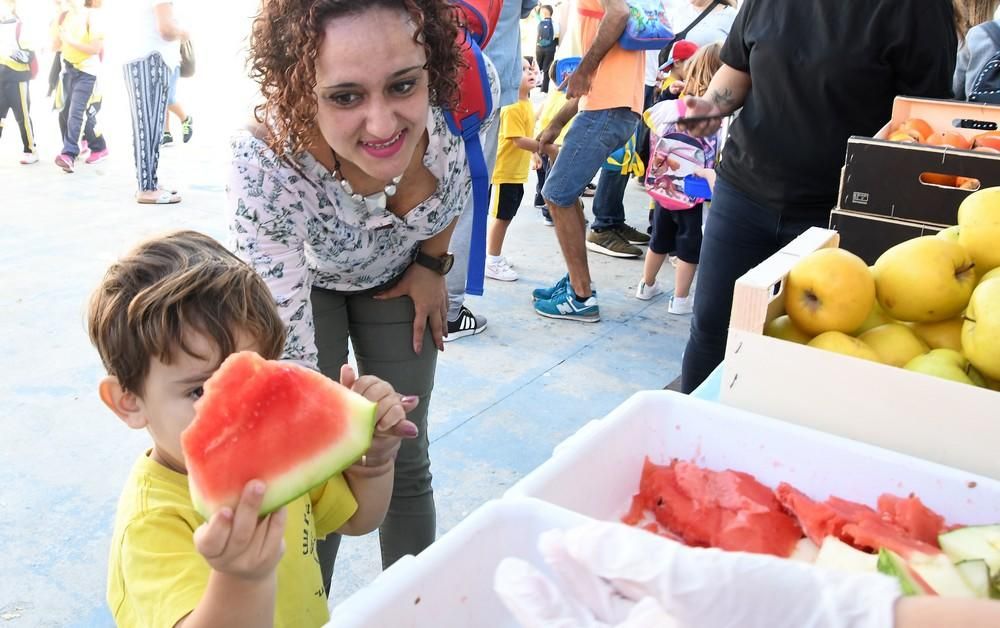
930	418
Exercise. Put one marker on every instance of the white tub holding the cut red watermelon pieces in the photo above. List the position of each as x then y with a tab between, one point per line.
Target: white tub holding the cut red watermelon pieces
596	471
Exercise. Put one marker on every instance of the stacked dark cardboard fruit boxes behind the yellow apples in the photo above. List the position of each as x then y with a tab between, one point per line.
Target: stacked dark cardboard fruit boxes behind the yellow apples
891	191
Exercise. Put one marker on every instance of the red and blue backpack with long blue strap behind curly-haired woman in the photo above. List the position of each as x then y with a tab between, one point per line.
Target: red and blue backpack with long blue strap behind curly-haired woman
478	19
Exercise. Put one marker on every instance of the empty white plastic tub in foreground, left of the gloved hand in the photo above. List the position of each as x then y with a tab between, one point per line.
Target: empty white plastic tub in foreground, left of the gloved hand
450	584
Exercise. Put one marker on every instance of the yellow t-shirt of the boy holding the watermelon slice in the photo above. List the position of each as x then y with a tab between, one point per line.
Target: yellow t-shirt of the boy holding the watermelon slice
156	576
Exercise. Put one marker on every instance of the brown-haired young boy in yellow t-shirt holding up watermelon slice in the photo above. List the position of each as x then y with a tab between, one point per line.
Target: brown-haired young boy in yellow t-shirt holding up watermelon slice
163	319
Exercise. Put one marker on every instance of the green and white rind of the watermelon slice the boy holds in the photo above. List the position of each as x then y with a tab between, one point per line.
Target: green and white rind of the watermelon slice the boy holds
316	471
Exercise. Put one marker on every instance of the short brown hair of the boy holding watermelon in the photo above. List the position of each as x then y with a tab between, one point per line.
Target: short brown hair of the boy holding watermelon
169	286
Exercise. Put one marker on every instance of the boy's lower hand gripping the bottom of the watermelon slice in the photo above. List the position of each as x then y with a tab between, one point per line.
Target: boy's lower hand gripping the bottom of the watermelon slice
238	543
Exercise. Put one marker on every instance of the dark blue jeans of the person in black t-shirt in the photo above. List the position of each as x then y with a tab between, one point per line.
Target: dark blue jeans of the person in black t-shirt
740	233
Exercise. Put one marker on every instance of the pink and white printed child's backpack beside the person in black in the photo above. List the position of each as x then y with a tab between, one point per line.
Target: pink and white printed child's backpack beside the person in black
673	155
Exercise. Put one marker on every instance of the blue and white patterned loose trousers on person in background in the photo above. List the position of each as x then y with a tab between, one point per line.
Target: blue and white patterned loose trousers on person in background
147	81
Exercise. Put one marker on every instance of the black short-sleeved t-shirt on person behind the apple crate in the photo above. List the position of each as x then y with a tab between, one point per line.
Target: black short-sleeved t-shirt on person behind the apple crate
821	71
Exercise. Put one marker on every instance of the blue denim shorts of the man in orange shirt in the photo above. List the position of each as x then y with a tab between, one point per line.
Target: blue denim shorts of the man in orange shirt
593	136
